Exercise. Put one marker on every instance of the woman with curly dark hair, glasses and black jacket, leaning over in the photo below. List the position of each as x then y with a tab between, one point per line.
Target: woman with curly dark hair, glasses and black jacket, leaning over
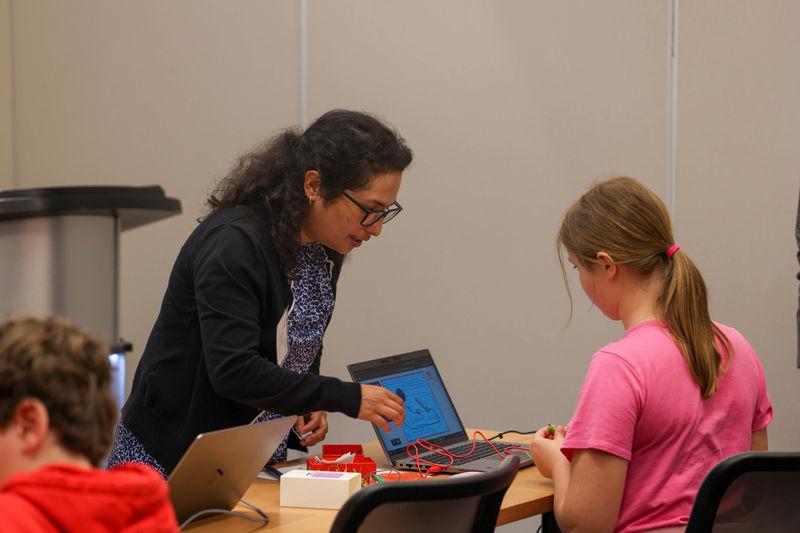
239	334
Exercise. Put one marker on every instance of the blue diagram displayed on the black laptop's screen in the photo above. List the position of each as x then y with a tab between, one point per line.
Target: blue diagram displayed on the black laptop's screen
423	415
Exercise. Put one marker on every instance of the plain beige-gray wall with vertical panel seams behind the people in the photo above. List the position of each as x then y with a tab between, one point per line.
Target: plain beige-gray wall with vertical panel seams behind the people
513	108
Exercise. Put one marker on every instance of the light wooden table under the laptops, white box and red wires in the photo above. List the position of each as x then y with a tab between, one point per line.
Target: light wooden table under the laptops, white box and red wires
531	494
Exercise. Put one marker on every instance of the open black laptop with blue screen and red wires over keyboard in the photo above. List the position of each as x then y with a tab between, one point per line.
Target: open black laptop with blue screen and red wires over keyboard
430	415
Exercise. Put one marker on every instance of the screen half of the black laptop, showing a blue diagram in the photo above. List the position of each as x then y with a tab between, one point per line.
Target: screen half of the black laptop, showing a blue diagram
430	414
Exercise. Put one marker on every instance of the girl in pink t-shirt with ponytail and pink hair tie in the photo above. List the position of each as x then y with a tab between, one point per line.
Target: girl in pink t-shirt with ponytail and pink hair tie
664	404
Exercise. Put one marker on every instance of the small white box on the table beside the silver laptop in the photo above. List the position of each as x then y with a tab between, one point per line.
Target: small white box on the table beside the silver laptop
318	489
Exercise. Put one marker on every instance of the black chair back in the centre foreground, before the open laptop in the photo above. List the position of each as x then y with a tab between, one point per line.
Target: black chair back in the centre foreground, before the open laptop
461	504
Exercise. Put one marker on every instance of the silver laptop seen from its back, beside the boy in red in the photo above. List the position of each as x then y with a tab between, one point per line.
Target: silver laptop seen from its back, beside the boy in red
219	466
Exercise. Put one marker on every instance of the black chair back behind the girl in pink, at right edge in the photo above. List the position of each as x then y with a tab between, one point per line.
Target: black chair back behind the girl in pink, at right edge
749	492
